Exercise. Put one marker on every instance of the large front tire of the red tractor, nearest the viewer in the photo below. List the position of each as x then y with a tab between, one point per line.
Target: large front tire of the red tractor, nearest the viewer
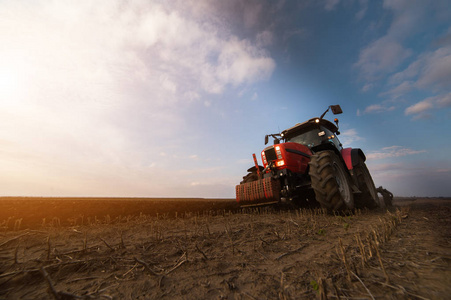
331	181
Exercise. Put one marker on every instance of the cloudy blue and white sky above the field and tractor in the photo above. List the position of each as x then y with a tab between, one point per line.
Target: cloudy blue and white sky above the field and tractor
171	98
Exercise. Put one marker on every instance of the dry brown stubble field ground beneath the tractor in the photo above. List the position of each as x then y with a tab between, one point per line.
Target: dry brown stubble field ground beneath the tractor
220	253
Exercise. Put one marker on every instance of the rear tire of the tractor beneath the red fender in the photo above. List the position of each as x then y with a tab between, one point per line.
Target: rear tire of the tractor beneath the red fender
368	197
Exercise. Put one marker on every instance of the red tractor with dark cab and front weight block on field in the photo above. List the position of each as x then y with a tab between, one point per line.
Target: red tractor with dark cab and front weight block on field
308	166
